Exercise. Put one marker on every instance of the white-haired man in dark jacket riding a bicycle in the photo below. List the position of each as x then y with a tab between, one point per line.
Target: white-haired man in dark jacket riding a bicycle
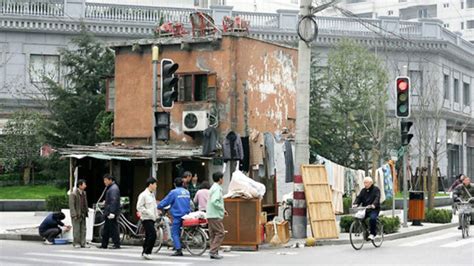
369	197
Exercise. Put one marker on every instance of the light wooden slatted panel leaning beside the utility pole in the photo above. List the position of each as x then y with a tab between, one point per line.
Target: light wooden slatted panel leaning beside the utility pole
319	202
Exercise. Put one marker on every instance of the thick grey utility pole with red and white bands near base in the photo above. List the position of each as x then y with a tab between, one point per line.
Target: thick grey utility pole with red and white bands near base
302	127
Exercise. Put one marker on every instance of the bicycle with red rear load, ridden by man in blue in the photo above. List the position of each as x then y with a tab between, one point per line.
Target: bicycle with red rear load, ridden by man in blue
193	237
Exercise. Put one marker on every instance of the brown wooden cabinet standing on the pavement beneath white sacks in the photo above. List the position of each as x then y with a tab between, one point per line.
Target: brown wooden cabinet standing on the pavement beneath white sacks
243	223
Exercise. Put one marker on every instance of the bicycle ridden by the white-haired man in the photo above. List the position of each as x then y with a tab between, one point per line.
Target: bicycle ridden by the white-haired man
359	231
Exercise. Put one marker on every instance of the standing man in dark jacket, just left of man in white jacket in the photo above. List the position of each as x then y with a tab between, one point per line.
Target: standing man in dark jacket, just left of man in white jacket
111	212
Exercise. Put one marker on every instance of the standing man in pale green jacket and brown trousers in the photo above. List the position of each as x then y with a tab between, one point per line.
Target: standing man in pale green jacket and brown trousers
215	214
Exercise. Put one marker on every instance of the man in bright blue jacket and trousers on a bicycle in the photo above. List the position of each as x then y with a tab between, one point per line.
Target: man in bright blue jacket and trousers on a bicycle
179	199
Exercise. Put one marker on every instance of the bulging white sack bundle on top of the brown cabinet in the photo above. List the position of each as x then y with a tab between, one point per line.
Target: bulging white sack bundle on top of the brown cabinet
242	186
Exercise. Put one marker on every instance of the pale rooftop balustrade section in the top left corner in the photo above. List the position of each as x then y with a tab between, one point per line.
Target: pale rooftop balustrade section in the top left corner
48	8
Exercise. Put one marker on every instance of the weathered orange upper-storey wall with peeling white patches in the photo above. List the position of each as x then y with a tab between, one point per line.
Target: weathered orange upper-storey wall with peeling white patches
256	86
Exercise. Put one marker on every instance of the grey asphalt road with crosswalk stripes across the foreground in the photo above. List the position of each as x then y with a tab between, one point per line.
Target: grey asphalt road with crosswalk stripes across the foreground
439	248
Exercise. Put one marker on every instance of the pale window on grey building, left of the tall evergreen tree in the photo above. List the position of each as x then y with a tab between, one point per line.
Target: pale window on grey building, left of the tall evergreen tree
44	66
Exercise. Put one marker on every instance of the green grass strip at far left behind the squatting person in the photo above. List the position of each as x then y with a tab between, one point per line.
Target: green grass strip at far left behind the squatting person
30	192
